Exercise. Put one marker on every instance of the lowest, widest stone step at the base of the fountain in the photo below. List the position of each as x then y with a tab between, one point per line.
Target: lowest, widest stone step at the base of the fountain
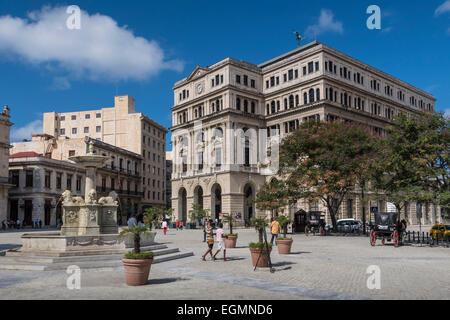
98	264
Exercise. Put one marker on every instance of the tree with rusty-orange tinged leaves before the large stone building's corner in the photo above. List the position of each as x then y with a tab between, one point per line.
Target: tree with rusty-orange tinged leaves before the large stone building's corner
320	162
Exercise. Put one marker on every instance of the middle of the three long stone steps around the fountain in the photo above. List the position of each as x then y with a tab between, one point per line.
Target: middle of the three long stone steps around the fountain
51	260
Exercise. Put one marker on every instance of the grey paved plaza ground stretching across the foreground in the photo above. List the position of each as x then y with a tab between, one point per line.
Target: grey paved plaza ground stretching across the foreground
318	268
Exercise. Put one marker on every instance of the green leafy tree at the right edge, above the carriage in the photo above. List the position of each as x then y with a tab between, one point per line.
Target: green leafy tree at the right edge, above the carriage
415	160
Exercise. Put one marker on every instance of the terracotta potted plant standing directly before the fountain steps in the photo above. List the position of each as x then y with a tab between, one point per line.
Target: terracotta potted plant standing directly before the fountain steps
137	265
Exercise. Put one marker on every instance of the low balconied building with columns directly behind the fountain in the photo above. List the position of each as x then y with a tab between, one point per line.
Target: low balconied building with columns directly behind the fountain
40	171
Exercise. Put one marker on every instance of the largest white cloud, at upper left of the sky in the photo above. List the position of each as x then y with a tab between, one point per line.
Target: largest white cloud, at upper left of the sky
100	50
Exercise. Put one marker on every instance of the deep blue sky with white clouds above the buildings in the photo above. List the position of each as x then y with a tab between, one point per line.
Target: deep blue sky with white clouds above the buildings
142	48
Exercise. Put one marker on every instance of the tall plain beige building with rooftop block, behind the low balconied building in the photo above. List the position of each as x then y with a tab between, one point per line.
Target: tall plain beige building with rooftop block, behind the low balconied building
123	127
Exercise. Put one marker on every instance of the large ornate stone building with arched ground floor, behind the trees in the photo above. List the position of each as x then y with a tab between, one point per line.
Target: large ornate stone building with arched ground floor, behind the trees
227	116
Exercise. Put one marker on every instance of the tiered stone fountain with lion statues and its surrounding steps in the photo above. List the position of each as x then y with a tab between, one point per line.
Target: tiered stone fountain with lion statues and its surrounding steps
89	237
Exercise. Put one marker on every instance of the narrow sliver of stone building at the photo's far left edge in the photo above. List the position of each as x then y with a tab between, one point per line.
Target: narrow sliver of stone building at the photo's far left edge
5	125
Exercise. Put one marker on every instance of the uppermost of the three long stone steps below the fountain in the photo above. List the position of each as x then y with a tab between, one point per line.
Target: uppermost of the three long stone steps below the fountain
87	252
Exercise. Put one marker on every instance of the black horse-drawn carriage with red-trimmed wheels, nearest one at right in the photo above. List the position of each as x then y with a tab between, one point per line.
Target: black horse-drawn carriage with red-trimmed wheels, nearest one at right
386	228
